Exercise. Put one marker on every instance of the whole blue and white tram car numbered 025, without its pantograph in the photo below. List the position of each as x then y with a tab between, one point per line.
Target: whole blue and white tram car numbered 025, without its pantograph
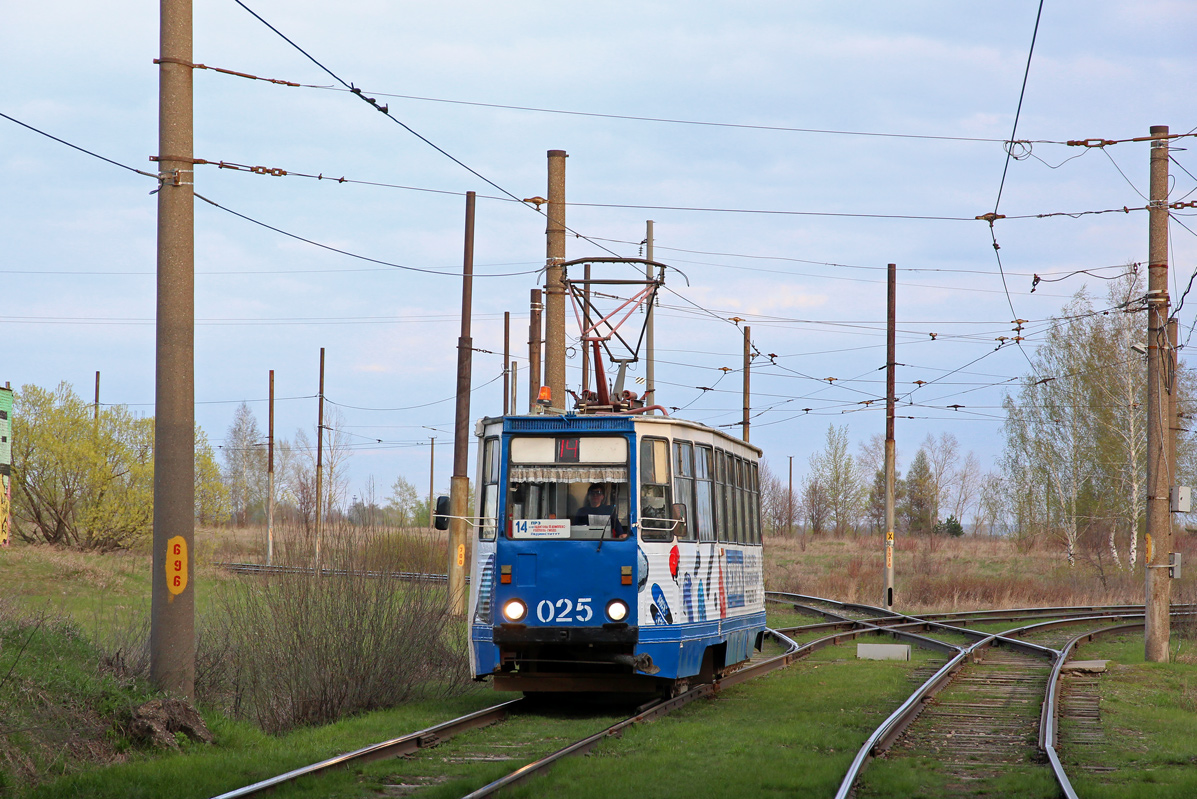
654	584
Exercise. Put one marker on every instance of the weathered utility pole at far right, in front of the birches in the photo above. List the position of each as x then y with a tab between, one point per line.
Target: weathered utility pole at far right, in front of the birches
1160	468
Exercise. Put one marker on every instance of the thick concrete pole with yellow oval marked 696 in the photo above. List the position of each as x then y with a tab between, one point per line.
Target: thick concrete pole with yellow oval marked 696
173	599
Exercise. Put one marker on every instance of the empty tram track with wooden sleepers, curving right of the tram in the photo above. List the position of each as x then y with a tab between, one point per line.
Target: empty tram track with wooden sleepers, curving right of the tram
992	709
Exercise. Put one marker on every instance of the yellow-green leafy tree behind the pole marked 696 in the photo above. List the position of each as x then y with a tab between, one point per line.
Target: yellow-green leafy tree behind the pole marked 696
83	483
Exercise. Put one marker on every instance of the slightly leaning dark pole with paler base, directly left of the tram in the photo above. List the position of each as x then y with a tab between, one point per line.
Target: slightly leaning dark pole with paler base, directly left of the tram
459	490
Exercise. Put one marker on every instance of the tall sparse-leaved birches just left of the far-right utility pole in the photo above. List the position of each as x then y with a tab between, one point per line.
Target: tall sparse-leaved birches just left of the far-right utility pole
1077	430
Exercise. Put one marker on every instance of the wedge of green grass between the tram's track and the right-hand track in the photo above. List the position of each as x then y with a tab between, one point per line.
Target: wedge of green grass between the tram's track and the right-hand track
792	734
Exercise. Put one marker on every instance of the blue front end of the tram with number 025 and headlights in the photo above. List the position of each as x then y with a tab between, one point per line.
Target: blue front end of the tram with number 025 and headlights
555	596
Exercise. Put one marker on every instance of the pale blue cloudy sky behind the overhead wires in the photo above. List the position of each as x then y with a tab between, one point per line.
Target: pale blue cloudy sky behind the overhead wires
850	136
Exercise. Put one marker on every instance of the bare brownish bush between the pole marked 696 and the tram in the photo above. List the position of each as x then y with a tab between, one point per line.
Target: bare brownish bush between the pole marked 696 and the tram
295	650
